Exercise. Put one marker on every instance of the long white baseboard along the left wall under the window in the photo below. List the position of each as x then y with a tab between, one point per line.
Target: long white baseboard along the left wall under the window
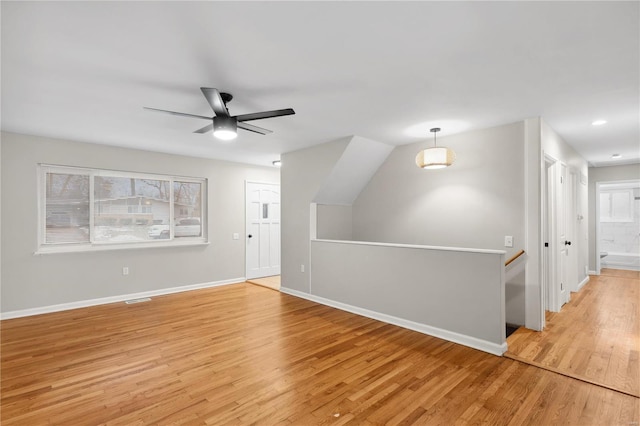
114	299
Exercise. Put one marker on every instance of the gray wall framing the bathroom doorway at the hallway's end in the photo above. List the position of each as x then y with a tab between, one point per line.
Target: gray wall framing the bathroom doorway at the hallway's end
604	174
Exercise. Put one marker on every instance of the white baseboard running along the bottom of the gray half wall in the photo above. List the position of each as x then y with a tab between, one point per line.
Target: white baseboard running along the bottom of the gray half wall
450	336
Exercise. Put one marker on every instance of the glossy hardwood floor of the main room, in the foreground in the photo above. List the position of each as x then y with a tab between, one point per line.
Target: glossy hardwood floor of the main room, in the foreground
243	354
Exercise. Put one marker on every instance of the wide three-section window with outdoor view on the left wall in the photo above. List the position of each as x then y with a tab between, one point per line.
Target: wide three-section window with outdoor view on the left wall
88	208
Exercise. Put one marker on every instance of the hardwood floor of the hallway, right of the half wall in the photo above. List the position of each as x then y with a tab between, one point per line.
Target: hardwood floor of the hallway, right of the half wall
596	336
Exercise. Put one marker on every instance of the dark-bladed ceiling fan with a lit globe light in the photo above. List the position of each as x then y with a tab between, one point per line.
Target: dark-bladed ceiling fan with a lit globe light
224	125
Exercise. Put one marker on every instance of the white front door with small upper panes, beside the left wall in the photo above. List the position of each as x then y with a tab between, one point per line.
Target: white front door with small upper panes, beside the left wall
262	230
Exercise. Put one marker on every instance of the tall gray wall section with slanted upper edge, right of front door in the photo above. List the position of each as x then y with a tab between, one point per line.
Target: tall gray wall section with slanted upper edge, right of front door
303	174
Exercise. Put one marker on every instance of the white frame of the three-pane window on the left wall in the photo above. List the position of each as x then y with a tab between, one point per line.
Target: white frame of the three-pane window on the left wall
44	247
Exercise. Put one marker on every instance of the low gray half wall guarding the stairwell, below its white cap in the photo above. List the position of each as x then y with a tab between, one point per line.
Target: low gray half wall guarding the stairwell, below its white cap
426	286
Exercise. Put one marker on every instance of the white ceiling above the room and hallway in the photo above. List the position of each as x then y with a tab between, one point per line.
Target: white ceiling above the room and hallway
386	71
